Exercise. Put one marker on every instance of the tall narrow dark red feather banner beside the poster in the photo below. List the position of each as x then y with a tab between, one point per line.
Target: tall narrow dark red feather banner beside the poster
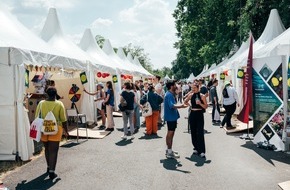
248	91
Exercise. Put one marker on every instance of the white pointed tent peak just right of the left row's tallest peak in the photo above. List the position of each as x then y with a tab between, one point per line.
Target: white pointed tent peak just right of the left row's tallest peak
88	41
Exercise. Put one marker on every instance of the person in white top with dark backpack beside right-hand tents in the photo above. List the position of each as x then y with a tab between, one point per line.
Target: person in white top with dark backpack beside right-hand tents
230	100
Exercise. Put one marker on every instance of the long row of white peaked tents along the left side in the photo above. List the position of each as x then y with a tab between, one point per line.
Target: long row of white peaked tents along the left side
21	49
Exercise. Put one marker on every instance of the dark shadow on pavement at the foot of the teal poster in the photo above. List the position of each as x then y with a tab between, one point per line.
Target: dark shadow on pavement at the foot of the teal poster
268	155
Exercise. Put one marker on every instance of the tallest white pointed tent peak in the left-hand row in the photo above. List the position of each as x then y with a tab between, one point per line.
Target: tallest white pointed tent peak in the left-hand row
51	26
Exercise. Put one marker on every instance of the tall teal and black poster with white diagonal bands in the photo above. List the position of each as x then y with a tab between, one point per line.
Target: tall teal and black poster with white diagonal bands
268	105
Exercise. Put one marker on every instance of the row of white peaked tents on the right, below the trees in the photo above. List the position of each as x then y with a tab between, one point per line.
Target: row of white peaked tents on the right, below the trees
274	41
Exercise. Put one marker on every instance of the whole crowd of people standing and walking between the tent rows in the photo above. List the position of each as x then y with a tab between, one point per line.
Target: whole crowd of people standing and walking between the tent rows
164	97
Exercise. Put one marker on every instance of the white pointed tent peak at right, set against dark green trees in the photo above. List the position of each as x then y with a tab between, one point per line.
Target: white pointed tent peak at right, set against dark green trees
274	28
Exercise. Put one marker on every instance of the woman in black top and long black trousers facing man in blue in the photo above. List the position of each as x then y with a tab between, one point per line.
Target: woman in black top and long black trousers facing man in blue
196	119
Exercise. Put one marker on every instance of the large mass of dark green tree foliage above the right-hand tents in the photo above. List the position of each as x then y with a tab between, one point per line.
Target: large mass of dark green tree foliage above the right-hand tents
209	30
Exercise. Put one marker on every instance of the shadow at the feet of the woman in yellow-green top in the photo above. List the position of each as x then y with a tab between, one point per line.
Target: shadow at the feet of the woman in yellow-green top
39	183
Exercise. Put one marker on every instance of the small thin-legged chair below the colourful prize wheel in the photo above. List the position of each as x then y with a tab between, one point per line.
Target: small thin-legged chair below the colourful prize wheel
80	119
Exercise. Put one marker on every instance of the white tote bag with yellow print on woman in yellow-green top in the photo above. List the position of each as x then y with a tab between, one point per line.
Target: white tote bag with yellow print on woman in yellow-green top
49	126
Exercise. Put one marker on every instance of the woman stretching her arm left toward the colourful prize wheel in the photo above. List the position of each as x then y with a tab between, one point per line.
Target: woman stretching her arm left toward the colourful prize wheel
100	96
